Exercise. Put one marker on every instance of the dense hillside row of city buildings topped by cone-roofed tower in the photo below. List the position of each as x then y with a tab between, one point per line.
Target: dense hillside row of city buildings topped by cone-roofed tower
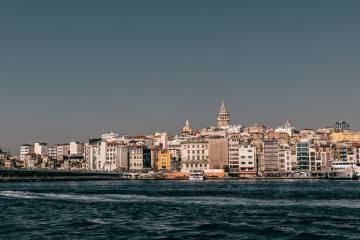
226	149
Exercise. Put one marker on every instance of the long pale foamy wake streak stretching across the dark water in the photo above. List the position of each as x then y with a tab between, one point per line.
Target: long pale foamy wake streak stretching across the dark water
200	200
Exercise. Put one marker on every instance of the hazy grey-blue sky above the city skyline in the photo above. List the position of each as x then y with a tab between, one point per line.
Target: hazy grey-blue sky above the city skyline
71	69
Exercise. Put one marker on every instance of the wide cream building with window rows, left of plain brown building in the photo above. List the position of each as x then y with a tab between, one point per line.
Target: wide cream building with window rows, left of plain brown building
195	155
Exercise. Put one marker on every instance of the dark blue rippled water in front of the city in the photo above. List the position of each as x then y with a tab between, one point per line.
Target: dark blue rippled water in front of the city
180	210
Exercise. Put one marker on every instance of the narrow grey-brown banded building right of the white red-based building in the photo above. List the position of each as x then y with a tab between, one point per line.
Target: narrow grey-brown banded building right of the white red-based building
271	157
